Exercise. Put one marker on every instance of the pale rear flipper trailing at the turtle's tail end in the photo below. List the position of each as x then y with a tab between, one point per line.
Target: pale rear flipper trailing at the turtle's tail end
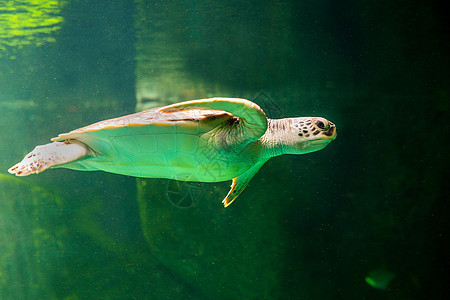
49	155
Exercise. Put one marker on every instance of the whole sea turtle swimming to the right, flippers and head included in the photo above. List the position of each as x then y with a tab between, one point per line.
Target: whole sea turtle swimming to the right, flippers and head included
208	140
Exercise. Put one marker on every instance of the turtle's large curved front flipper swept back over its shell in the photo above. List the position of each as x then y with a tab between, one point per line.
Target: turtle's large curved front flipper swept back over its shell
250	113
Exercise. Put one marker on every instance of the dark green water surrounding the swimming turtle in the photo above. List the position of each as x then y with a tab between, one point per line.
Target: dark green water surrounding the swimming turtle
364	218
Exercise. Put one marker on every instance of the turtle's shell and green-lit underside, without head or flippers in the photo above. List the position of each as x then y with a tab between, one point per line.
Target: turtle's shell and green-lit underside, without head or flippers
156	143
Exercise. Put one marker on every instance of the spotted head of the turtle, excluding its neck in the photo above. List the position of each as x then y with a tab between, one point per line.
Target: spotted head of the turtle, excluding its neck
309	134
